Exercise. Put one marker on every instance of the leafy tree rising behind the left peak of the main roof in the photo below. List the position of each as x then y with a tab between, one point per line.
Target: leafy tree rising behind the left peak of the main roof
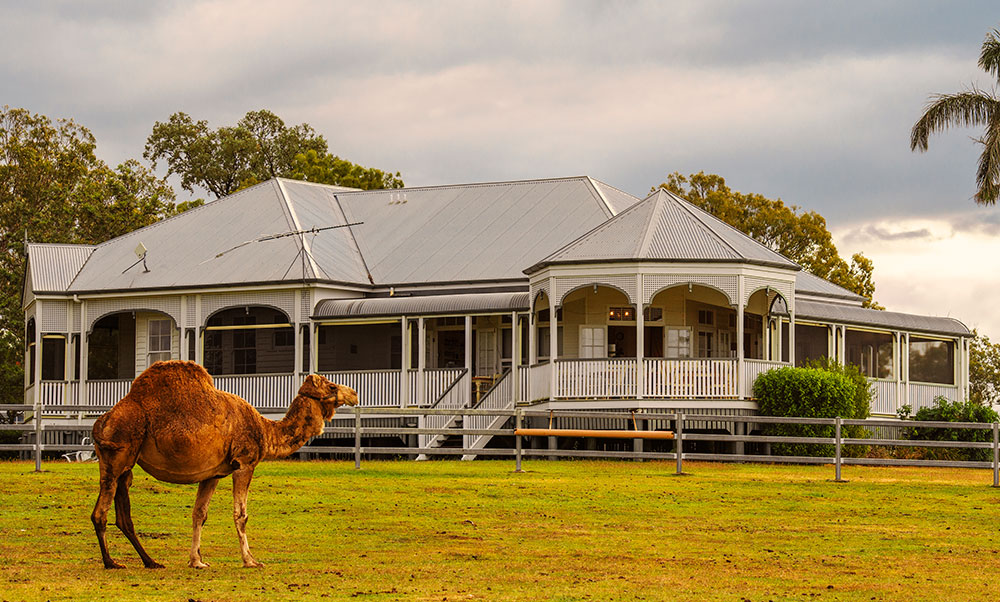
260	146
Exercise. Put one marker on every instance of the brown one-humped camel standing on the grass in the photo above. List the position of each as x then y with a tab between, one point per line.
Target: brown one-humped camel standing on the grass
180	429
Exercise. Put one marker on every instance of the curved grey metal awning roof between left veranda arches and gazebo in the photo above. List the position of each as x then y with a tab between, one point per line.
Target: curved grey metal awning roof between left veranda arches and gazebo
471	303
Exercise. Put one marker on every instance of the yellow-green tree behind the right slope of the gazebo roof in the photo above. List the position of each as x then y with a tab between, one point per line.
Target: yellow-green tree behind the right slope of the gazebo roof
801	237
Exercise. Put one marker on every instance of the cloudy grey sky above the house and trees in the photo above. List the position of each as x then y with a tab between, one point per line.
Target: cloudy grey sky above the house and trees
810	102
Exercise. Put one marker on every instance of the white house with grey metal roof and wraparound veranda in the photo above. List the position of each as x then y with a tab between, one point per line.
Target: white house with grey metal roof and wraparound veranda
562	293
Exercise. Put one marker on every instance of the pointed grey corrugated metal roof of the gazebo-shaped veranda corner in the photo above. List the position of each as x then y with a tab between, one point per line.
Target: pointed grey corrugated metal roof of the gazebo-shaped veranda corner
665	227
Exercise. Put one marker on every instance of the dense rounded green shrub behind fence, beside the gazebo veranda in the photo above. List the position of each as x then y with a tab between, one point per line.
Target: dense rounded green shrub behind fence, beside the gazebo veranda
813	392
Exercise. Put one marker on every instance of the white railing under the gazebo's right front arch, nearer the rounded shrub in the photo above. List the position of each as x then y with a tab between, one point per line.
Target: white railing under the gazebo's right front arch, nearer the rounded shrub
690	379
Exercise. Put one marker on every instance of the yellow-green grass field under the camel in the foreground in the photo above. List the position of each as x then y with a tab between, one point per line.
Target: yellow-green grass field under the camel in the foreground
559	531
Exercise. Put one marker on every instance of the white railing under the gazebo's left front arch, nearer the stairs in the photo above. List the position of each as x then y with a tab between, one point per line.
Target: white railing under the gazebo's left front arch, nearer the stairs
603	378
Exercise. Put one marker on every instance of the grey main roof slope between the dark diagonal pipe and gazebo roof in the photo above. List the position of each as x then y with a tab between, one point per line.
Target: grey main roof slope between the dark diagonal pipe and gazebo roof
478	232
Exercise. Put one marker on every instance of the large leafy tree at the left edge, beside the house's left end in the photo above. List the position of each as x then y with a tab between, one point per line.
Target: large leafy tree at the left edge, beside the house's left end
53	188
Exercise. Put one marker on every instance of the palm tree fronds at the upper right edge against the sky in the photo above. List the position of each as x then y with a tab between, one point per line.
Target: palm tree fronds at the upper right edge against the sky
971	108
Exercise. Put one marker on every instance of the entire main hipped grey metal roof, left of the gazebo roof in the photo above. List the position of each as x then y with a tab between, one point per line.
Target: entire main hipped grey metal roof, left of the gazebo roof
462	233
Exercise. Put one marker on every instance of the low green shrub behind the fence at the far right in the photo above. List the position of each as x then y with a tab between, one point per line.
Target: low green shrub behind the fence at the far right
945	410
